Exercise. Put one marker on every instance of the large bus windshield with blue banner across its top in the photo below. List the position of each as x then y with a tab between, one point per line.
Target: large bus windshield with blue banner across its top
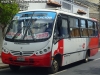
28	26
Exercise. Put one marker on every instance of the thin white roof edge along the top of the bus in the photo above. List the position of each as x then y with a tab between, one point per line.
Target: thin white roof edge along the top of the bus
60	11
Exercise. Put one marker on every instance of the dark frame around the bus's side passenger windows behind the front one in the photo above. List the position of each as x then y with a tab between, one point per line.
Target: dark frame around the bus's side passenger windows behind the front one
67	17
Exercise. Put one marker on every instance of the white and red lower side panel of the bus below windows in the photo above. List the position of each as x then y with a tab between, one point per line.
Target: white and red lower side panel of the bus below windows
74	49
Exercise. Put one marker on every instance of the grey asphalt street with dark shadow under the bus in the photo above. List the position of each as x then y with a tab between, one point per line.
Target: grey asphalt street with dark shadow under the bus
78	68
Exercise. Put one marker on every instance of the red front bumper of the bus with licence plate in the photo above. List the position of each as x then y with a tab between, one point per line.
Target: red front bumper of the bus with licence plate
36	61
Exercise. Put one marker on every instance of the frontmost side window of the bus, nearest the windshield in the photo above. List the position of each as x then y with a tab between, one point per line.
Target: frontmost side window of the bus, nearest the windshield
61	28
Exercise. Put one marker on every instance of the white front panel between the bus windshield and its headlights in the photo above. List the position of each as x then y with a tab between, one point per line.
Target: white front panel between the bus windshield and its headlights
26	46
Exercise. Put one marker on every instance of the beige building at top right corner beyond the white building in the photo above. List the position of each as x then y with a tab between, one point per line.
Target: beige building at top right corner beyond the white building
94	8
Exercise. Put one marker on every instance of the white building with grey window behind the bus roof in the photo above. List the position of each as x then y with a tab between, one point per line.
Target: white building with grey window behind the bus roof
66	5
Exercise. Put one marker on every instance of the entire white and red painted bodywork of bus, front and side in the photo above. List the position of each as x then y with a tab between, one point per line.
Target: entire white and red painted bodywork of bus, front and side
70	49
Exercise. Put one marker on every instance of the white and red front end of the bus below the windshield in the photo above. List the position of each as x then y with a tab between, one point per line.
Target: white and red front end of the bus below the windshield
29	54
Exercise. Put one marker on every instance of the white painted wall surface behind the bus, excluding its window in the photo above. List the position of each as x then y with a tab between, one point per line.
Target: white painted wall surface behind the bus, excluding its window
74	7
